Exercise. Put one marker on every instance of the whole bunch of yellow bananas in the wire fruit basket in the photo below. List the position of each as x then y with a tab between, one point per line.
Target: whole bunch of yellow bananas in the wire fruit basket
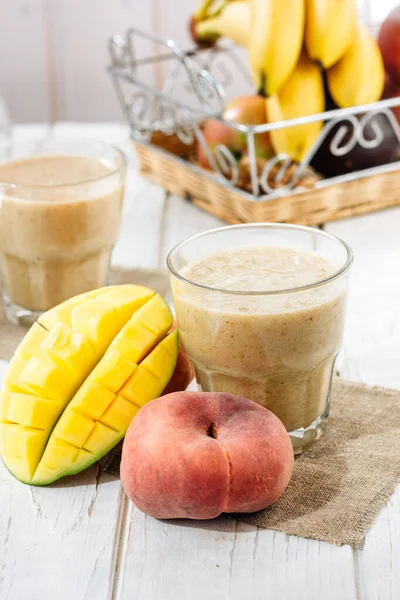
290	44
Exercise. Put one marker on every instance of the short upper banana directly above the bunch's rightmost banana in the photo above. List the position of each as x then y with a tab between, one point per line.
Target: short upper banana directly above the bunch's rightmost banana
330	29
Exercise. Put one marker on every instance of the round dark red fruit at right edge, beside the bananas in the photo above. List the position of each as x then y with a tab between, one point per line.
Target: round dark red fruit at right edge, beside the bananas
389	43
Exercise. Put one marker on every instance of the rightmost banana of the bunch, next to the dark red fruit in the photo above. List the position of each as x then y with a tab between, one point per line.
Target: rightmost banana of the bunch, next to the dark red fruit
358	77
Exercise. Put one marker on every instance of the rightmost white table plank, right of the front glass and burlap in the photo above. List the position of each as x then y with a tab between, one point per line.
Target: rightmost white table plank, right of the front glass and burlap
372	355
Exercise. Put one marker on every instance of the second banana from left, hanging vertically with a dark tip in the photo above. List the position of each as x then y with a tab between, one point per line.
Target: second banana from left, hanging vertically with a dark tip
277	31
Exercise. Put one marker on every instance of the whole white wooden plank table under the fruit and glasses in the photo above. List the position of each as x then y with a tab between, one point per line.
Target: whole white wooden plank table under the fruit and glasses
83	540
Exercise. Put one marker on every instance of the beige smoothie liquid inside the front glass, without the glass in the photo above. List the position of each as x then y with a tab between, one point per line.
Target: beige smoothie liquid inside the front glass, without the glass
277	349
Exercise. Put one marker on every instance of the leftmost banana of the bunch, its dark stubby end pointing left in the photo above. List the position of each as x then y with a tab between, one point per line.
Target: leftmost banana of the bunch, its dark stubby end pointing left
232	22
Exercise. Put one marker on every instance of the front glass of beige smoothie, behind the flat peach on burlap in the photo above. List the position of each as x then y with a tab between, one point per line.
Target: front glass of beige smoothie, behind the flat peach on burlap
260	311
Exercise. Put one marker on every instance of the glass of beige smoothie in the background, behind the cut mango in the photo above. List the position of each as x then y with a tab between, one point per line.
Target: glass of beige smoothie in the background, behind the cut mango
60	212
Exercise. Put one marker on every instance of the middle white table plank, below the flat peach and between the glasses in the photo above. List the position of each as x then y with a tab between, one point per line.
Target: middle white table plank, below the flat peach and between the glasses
222	559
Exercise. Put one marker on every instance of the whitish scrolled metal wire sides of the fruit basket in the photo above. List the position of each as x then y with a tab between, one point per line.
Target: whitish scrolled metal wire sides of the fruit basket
201	76
